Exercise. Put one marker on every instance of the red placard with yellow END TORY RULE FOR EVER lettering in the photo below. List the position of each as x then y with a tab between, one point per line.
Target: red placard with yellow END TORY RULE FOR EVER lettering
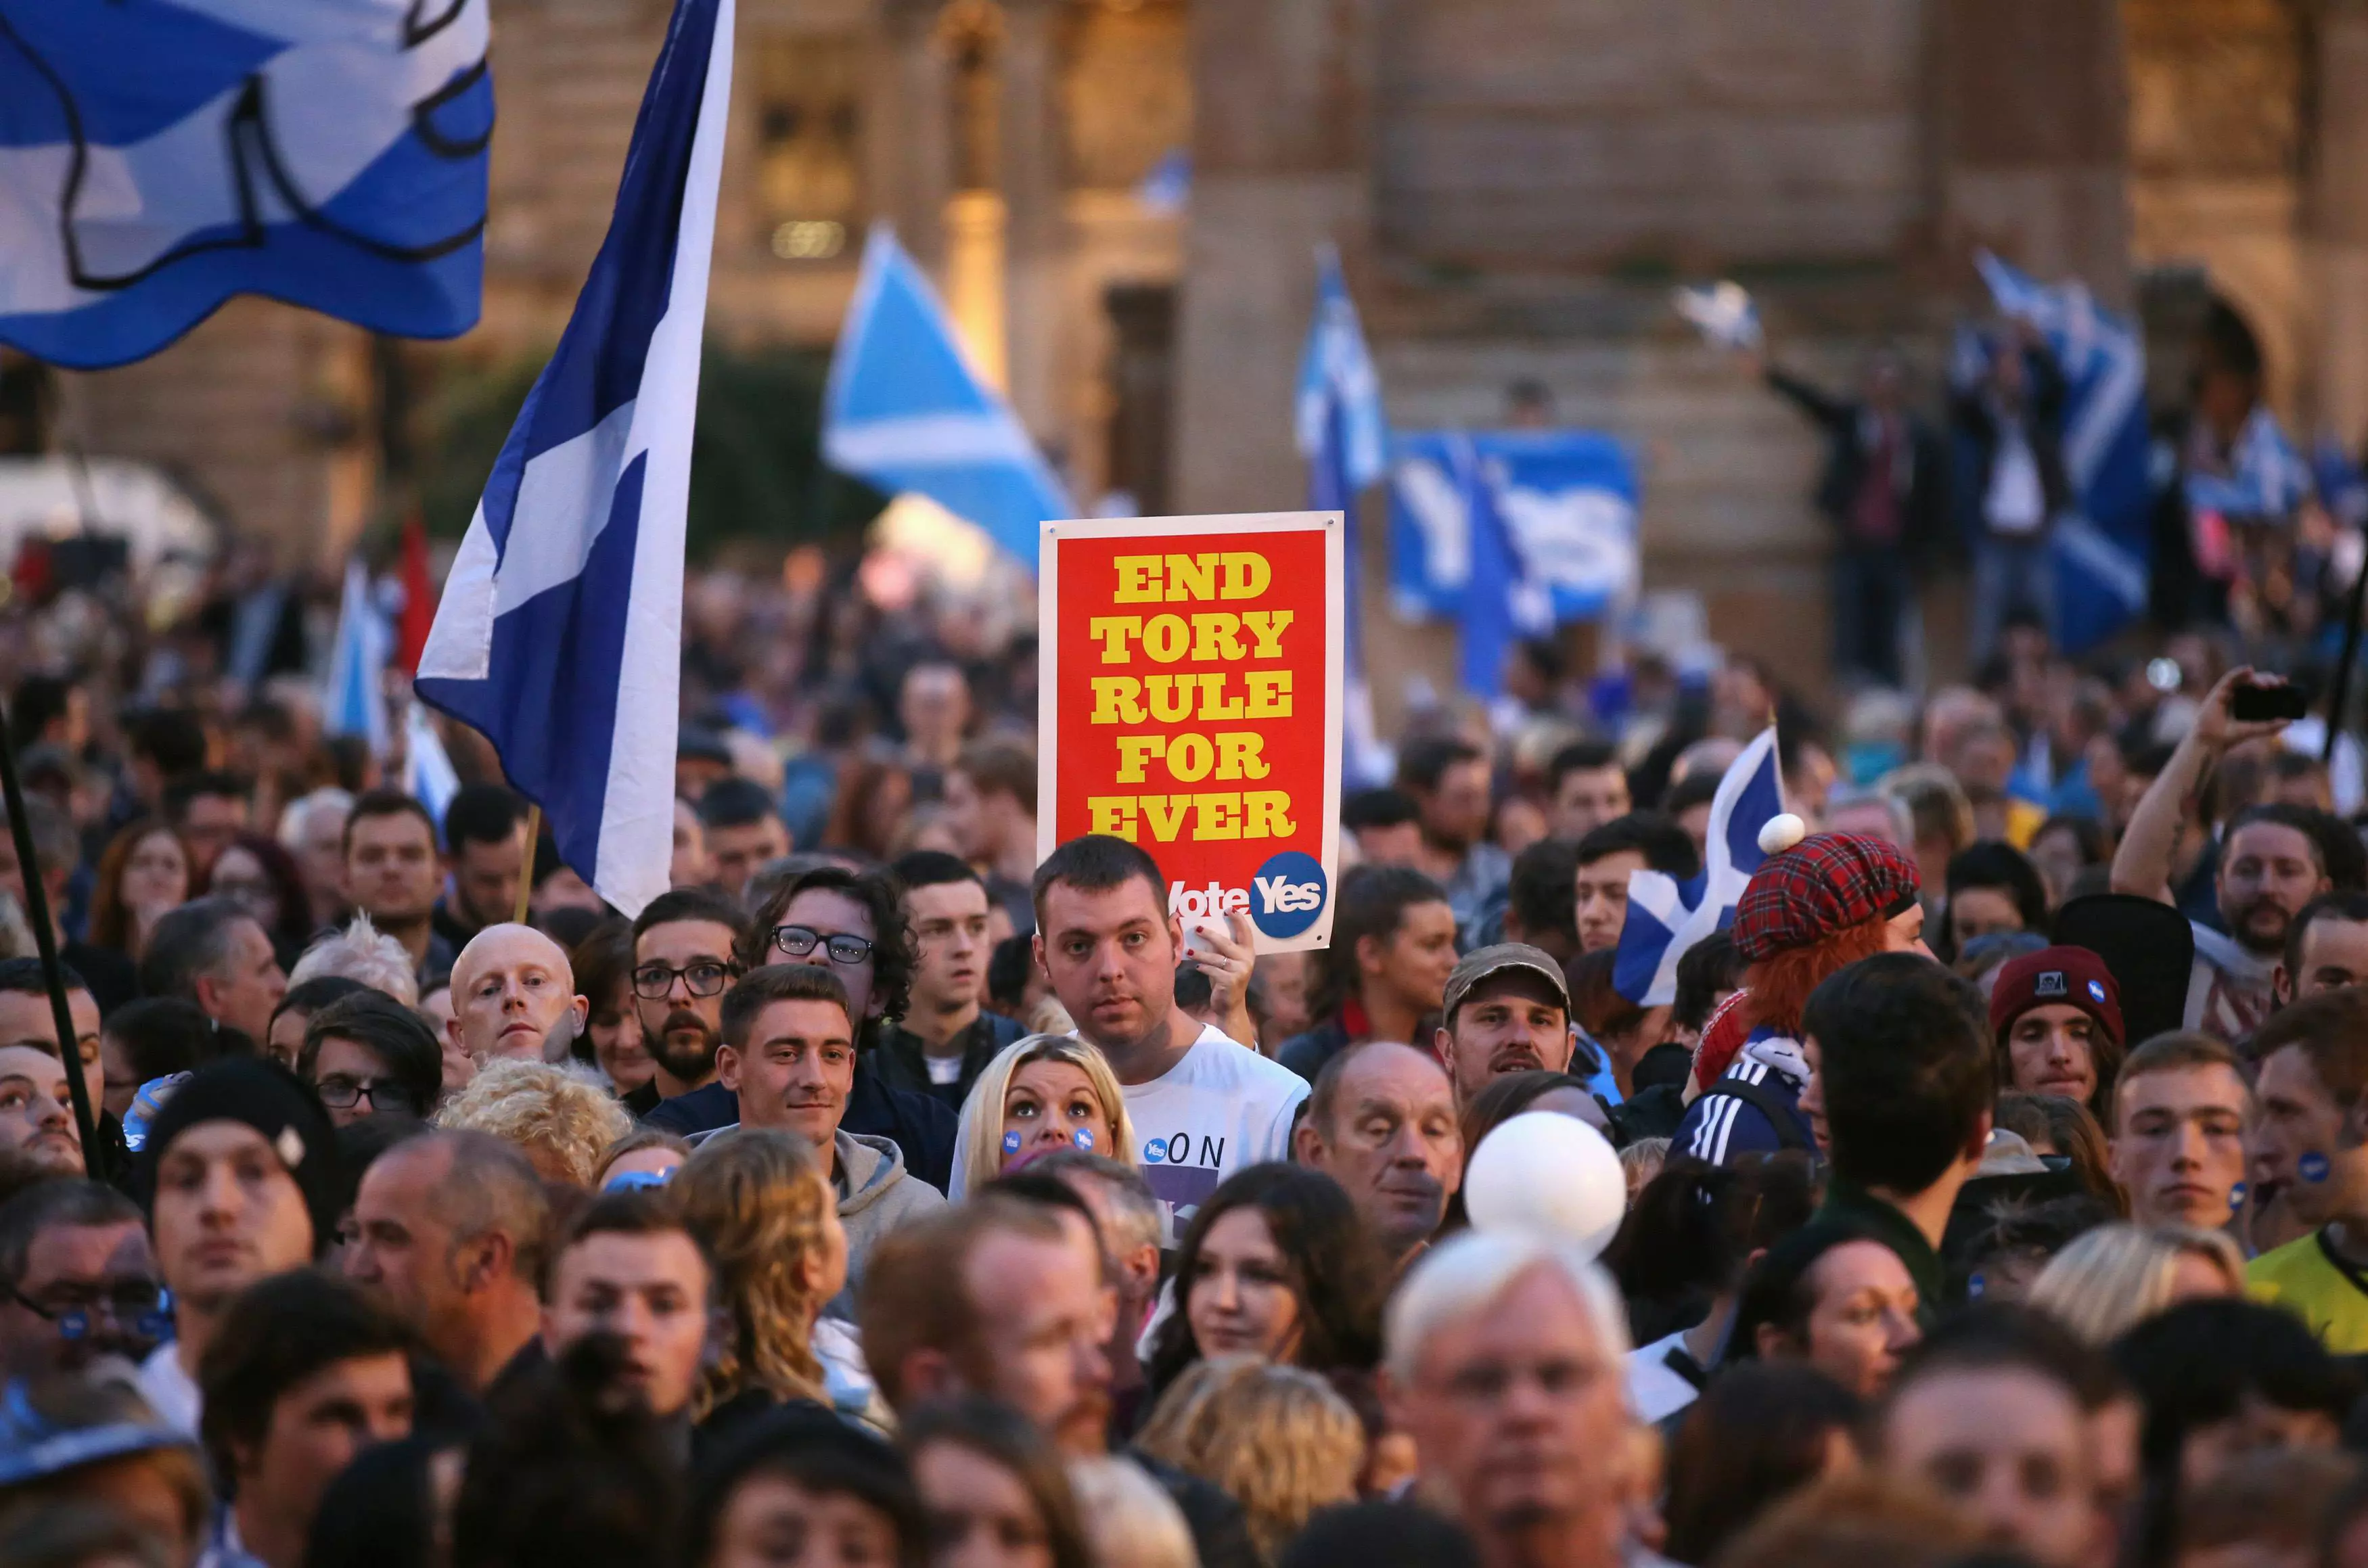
1190	702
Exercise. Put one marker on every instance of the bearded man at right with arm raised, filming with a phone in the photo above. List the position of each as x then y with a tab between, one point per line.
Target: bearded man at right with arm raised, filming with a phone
2270	861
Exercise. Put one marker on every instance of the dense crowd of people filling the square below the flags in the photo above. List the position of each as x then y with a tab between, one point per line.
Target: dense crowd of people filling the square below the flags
1995	1183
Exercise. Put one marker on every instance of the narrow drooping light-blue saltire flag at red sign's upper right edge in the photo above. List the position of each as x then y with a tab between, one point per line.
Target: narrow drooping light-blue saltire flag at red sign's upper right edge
1346	442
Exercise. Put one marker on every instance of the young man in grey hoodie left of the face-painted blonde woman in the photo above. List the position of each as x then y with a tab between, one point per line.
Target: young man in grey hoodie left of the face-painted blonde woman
790	1058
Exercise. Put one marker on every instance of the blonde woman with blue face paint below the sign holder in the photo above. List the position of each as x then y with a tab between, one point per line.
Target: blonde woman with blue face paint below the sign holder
1038	1095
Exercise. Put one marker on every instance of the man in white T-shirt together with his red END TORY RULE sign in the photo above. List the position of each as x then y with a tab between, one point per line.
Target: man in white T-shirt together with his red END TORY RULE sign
1190	776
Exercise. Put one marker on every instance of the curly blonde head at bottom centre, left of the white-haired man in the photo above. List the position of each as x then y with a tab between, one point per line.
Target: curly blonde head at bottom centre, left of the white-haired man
1273	1437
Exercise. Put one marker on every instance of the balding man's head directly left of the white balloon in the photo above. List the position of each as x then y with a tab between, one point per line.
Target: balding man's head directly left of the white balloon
1384	1124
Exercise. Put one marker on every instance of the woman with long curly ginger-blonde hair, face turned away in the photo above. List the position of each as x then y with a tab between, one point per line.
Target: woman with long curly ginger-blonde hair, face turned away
771	1223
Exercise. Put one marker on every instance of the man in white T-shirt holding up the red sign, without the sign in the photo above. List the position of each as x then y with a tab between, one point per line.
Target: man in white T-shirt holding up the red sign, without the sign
1109	946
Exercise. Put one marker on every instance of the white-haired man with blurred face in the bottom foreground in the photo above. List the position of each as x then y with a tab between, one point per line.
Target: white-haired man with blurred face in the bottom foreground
1505	1365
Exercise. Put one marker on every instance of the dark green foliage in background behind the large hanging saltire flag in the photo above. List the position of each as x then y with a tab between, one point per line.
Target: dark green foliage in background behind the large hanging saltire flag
757	465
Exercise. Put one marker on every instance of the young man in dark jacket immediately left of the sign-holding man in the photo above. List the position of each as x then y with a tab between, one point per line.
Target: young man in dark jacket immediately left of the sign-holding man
946	1039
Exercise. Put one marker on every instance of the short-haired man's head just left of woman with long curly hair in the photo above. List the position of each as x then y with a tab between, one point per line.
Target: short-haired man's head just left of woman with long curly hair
631	1268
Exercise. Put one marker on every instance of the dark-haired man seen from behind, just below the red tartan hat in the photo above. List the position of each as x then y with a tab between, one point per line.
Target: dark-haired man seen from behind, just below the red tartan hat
1903	1079
